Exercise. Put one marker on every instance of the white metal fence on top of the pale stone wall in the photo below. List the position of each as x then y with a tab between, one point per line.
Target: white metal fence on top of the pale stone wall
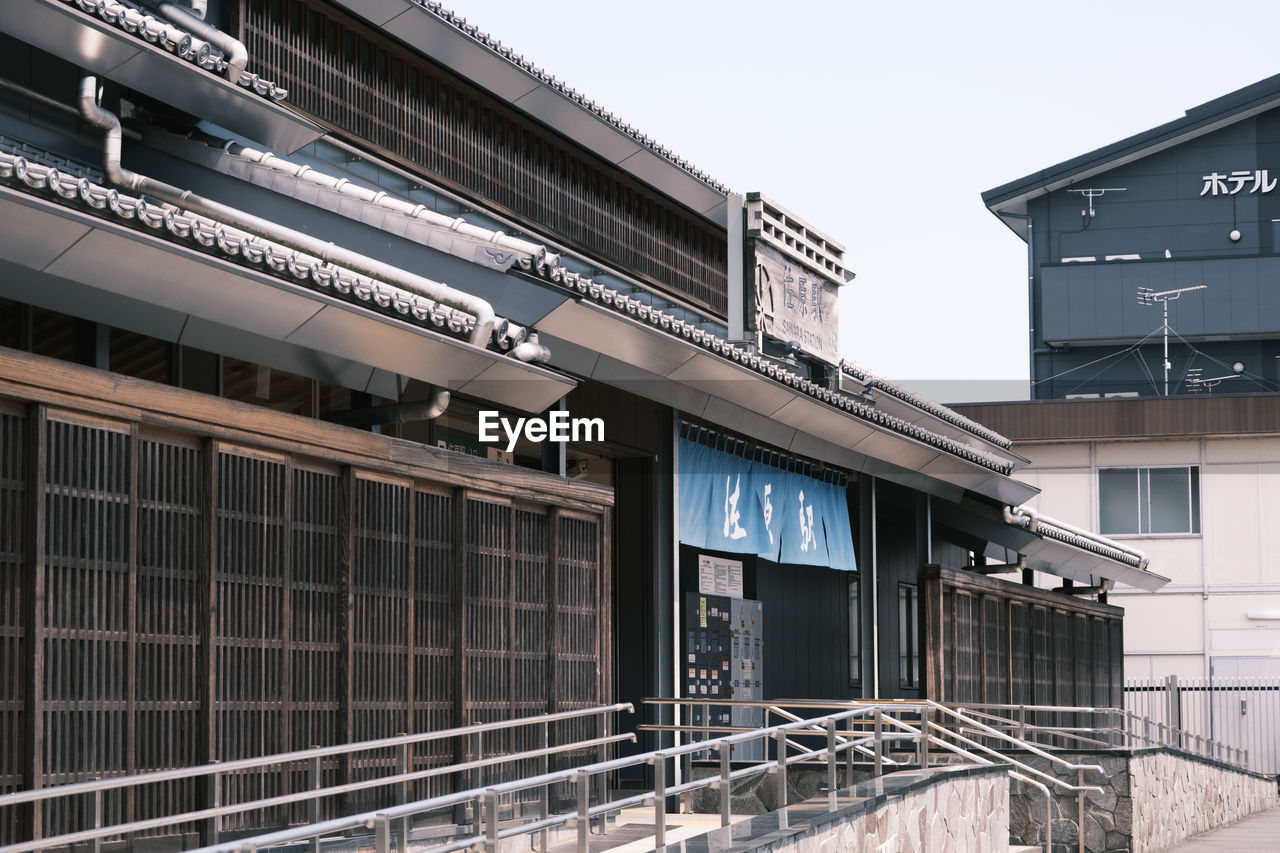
1242	713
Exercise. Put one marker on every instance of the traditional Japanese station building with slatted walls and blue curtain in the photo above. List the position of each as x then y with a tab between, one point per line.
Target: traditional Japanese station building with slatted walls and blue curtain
271	311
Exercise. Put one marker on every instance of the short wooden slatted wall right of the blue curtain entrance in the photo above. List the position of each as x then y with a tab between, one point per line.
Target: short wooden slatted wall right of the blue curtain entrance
999	642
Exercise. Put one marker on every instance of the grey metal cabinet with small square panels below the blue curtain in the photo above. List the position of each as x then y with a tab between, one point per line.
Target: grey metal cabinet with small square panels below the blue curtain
724	654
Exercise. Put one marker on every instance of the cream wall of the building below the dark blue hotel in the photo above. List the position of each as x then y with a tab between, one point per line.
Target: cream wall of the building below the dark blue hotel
1217	578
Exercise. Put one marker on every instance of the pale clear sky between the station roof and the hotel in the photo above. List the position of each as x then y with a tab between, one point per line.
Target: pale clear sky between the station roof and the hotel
883	124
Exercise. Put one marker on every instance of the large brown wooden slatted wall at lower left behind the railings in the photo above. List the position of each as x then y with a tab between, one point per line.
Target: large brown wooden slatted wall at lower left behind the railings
191	605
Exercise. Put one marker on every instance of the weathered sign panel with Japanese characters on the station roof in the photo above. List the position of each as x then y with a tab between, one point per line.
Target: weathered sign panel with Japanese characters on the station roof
796	304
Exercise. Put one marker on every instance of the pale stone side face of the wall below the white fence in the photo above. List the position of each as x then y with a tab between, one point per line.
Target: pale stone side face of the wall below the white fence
1177	796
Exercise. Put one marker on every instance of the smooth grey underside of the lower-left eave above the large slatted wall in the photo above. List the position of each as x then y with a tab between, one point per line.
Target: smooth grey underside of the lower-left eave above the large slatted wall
211	303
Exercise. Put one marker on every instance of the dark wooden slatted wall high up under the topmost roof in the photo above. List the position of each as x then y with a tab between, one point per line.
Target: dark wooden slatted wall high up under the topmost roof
351	77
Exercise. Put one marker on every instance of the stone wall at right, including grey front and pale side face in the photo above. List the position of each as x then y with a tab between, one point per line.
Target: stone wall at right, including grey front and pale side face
1151	800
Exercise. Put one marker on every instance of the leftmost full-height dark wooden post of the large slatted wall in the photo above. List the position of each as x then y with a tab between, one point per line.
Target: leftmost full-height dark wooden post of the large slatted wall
33	615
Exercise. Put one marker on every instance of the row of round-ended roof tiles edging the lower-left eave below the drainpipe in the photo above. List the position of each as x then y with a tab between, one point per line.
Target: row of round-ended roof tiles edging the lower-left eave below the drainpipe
207	235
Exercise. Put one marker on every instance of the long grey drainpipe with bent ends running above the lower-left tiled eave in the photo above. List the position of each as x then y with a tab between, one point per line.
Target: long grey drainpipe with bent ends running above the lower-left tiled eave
327	252
